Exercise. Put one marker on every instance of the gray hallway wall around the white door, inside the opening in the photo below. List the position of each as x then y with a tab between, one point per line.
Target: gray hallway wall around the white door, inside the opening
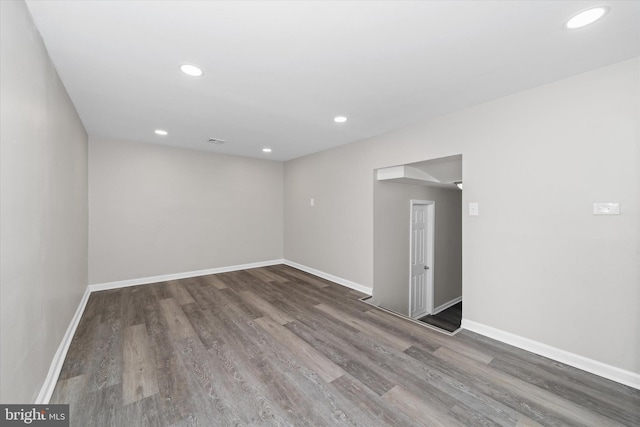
391	216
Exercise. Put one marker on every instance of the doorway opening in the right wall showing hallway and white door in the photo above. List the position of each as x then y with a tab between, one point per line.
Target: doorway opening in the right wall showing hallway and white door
404	194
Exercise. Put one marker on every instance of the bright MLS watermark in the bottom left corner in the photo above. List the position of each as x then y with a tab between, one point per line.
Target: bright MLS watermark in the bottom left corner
34	415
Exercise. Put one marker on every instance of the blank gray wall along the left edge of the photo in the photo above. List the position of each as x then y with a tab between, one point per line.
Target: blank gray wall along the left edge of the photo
43	208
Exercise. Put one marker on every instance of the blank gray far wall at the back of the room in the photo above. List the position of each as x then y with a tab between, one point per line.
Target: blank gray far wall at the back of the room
157	210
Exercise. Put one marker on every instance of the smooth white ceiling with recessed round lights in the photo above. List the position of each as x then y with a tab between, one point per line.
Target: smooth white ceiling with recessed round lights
276	73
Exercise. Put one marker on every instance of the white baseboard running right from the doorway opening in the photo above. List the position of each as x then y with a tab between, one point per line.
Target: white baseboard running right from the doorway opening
604	370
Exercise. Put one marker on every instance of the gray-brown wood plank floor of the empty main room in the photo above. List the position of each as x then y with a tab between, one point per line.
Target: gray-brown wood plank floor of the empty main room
276	346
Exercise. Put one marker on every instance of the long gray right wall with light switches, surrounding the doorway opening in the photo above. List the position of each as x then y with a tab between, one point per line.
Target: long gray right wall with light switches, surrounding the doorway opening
536	262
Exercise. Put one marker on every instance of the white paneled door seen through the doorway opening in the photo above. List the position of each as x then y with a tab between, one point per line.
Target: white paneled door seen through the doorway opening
421	286
